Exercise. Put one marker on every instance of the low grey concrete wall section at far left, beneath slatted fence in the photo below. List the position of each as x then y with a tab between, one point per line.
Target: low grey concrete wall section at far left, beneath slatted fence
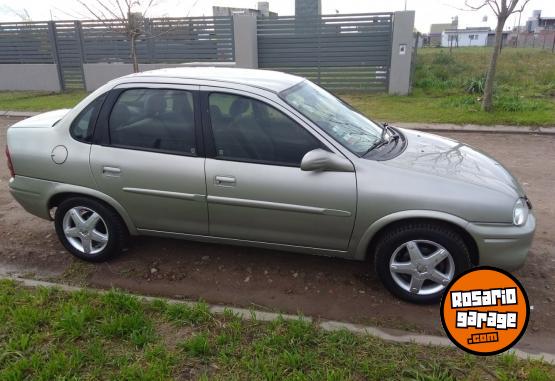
43	77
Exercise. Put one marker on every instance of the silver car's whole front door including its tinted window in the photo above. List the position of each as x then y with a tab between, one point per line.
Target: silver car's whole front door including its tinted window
255	187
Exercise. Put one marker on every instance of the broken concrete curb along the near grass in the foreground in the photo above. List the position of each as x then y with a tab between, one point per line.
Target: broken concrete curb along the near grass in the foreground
390	335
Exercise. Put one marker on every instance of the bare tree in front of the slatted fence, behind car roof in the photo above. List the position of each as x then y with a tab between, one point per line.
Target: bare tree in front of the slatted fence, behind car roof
121	16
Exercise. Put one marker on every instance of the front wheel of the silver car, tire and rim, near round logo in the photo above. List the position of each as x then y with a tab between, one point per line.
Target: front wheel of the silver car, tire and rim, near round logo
416	261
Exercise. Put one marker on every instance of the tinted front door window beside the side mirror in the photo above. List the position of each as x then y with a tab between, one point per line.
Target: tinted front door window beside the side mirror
246	129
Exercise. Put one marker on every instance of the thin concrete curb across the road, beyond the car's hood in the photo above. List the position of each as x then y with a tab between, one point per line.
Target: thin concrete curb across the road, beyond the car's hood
477	128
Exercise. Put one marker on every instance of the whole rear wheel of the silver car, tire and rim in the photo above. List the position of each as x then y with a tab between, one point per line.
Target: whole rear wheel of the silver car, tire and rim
89	229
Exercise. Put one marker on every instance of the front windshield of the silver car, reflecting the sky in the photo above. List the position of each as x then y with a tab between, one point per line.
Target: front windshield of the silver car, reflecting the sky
350	128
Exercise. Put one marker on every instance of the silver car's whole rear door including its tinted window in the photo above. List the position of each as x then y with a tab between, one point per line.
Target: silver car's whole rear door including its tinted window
147	154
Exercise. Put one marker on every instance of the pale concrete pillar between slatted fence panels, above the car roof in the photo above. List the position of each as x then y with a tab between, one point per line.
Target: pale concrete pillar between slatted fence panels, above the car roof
246	41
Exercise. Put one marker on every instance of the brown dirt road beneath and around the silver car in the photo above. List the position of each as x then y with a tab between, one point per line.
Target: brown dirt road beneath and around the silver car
293	283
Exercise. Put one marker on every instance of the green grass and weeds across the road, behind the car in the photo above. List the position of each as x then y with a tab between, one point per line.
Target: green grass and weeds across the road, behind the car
447	89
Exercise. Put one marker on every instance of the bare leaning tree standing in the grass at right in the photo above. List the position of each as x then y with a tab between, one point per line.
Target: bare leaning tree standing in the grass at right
502	9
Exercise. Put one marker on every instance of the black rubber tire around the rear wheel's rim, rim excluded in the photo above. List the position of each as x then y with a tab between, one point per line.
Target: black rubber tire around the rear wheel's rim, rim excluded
113	225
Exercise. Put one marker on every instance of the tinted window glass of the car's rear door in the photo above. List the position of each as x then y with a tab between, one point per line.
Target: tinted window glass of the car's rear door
154	119
